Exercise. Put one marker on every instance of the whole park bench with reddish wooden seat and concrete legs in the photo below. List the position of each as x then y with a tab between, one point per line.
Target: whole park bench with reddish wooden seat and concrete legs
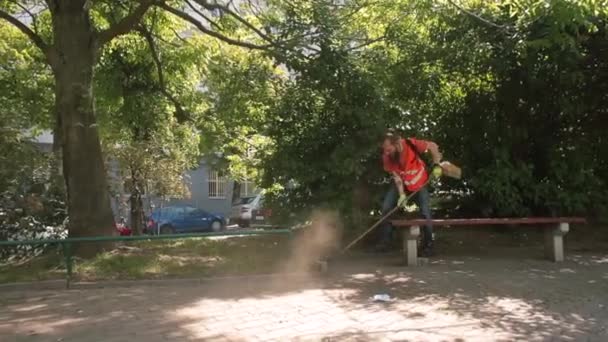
555	229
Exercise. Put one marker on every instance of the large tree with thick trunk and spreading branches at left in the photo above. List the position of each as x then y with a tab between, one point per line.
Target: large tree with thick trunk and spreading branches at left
72	41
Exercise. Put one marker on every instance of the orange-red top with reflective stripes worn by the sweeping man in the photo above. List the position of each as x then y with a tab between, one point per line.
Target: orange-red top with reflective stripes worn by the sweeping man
411	169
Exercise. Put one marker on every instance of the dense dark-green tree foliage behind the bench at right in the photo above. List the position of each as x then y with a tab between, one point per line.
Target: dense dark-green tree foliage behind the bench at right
512	93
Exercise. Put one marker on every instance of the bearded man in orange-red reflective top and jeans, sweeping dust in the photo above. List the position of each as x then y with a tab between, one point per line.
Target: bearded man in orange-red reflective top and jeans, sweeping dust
409	173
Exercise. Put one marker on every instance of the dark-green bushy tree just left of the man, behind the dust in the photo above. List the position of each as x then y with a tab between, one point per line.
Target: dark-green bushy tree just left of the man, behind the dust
326	126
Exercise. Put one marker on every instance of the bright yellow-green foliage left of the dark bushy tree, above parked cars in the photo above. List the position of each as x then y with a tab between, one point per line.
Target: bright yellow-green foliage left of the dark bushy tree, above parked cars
239	87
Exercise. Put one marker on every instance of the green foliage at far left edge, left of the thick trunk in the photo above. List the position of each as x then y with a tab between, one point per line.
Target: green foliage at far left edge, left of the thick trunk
29	206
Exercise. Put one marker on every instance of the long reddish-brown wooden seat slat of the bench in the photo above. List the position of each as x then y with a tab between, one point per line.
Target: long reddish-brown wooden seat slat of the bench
488	221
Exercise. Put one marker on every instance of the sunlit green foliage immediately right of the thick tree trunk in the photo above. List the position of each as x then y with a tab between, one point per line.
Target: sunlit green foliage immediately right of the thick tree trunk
142	131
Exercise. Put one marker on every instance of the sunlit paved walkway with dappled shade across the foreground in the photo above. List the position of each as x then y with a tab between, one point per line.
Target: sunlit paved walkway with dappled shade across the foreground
448	300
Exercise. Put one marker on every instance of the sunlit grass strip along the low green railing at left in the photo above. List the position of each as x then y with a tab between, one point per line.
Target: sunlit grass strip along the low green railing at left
197	257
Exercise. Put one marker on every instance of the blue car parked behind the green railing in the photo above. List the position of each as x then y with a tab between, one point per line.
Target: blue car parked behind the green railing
183	219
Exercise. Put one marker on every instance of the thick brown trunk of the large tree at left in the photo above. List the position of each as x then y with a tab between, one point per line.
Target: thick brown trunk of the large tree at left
89	209
